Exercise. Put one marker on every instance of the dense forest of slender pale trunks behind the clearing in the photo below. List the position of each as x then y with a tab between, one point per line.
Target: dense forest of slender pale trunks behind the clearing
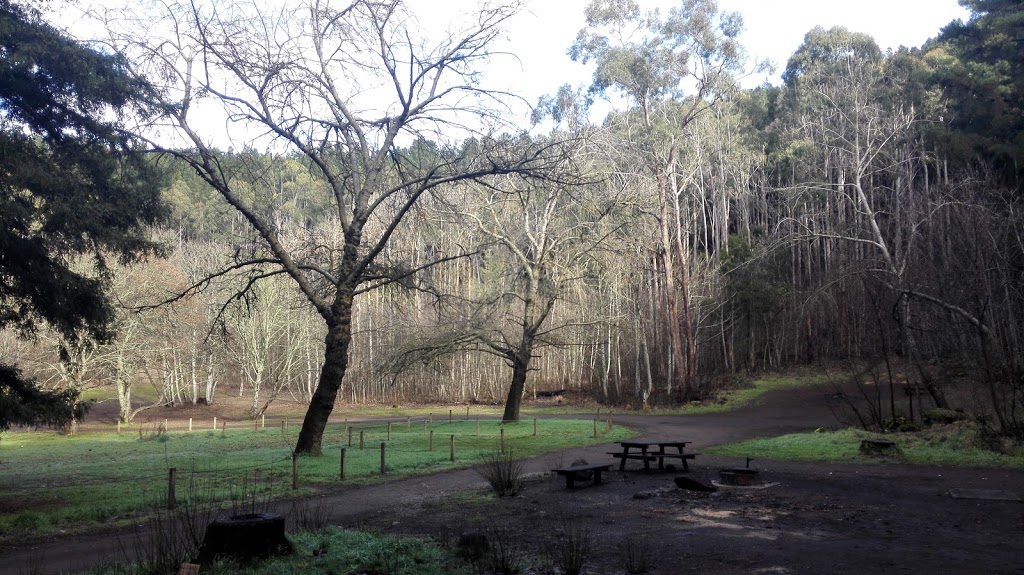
867	212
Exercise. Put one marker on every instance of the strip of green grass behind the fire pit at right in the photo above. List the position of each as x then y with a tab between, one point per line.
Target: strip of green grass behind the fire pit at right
949	449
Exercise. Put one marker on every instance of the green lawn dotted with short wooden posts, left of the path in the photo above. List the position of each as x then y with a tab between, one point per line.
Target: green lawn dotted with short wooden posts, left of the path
52	483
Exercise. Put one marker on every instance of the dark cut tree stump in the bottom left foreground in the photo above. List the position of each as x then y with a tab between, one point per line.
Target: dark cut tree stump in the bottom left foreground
245	539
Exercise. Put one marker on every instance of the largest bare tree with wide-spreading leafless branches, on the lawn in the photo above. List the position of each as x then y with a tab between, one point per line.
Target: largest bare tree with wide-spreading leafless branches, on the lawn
344	86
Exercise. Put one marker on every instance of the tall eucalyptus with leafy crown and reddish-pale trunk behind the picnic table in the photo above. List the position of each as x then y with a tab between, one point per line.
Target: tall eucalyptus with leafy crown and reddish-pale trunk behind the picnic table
670	70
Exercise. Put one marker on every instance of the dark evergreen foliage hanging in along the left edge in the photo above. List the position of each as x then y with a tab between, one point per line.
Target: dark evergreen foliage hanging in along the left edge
71	184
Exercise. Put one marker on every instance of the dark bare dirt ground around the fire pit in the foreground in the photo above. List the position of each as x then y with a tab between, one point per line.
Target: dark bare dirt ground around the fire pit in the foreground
813	519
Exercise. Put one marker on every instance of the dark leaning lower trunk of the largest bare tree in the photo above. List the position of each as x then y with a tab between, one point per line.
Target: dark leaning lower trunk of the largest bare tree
339	336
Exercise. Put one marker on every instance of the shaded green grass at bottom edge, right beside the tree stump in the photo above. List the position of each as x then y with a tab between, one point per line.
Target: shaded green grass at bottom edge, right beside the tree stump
340	552
